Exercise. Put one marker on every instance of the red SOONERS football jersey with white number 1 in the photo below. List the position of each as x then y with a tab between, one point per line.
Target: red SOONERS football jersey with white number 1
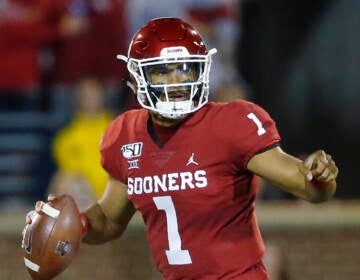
195	193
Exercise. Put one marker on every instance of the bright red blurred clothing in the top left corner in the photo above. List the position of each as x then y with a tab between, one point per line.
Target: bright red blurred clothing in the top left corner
24	29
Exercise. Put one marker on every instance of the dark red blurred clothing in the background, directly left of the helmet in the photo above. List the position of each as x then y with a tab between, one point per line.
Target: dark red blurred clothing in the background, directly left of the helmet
93	52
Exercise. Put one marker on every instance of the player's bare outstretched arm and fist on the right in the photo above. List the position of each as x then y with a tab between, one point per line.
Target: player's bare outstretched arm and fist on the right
313	179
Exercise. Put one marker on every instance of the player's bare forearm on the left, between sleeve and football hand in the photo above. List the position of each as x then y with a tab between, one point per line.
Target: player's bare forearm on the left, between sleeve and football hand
108	218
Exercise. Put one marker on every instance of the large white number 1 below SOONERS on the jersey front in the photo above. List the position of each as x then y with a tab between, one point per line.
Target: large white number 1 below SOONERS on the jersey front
175	255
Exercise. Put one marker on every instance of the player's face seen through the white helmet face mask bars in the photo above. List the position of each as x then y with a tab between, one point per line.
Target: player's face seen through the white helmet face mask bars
173	73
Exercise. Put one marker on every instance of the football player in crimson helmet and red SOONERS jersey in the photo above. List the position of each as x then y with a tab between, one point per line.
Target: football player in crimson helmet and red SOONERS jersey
188	164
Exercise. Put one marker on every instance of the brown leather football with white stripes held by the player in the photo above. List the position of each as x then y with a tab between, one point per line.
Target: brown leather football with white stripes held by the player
52	240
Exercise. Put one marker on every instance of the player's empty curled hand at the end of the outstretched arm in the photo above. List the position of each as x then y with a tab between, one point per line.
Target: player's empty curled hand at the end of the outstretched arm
319	166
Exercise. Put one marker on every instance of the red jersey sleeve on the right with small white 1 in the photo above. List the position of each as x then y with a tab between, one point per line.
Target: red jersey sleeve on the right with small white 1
256	131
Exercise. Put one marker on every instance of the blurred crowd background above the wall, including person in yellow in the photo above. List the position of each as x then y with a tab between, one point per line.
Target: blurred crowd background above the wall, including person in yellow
60	83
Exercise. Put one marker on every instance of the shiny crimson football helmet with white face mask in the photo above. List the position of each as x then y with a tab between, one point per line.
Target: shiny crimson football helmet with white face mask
162	45
